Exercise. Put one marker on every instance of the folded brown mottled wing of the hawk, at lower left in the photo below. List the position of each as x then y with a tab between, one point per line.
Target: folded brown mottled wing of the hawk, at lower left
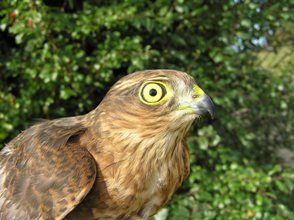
45	172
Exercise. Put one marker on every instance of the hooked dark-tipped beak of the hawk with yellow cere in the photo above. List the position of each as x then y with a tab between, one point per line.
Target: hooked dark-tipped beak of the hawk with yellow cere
203	106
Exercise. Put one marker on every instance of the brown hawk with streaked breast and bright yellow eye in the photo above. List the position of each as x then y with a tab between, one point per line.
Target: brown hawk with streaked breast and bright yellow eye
123	160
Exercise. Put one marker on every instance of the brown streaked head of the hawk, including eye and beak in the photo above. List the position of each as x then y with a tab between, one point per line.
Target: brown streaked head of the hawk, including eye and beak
155	102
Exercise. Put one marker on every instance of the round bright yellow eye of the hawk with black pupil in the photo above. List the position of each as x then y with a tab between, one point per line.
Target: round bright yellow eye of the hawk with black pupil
152	93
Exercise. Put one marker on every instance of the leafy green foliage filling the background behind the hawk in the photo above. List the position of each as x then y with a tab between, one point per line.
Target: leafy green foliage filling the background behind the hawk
59	58
